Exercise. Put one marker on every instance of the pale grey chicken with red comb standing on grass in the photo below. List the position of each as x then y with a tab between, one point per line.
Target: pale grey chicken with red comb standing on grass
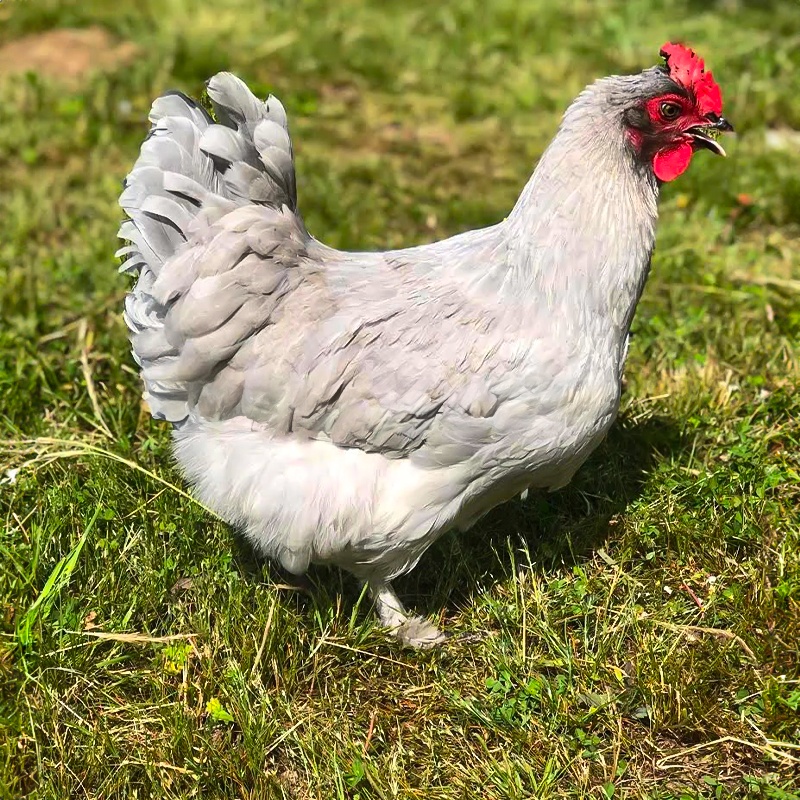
349	408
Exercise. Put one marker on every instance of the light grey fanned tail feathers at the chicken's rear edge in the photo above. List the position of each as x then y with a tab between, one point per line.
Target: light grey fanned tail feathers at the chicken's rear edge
190	172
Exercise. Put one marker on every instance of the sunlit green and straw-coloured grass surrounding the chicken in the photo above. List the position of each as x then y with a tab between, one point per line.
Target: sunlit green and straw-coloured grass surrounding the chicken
644	622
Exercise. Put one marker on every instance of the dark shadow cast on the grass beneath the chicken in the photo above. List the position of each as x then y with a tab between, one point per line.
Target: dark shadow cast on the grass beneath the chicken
563	527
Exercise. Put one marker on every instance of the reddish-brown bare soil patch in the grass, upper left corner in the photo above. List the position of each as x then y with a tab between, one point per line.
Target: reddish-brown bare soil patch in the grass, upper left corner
66	54
